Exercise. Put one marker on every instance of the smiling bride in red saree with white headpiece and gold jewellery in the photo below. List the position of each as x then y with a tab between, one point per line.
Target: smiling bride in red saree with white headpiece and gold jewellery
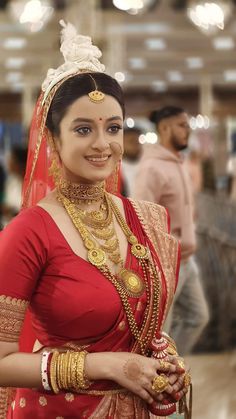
96	272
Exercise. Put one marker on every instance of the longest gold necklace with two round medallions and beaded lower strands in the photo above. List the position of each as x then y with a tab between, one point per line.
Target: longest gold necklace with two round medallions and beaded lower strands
97	257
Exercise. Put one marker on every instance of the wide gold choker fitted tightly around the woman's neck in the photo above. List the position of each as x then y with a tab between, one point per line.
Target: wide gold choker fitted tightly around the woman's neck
79	193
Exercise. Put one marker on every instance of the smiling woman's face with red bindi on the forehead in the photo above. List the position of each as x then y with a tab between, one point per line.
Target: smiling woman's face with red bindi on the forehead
91	139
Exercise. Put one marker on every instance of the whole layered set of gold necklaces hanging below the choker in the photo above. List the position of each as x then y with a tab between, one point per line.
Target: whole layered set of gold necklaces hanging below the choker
127	282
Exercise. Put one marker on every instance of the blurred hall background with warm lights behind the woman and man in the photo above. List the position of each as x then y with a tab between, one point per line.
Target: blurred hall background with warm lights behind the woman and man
177	52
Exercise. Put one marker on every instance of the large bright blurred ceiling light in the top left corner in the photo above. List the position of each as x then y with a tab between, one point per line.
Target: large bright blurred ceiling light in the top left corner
32	14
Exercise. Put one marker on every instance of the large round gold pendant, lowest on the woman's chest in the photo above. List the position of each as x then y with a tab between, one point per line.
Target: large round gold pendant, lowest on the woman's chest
132	283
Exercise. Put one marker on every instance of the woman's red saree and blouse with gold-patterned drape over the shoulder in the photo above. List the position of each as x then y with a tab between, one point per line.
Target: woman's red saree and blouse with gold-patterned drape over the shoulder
71	302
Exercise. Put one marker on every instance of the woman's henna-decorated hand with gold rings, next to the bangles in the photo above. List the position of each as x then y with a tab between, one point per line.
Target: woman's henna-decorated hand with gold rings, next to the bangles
131	371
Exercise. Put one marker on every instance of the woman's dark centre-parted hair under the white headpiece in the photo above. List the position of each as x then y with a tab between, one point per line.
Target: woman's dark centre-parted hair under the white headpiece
76	87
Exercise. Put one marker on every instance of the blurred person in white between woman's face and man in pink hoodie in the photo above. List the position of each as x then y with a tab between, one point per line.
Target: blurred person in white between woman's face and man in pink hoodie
131	156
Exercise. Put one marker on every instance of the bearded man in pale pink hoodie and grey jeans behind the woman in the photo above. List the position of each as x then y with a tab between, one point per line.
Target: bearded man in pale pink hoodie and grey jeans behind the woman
162	178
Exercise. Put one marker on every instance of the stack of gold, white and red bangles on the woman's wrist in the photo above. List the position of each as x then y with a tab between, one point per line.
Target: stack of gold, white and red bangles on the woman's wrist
64	371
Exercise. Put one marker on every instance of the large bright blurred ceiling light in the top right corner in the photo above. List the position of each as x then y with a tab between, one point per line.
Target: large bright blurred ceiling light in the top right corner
209	16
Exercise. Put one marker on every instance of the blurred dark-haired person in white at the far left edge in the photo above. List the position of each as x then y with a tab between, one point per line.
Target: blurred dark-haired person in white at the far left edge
13	186
